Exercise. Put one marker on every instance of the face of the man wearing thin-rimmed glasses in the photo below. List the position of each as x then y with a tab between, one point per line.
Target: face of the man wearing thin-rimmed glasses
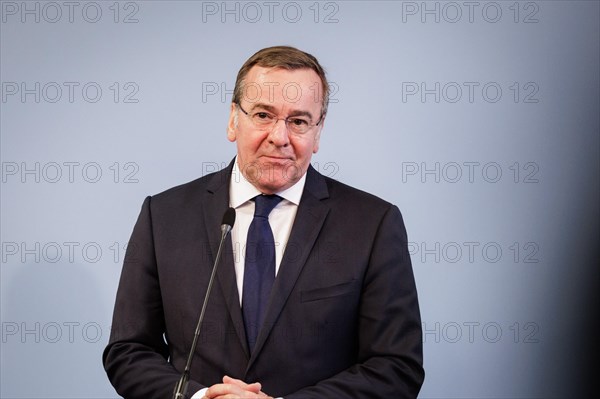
274	159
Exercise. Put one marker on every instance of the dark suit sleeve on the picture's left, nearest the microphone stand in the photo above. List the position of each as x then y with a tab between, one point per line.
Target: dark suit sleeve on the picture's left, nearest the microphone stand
136	358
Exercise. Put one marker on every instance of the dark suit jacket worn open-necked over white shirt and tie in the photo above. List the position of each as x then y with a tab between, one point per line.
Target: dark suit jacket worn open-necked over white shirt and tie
342	321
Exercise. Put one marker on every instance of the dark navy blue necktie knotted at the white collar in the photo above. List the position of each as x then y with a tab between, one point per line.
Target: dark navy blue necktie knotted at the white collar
259	267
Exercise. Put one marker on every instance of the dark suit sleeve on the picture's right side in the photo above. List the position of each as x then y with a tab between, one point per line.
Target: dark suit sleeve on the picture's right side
390	356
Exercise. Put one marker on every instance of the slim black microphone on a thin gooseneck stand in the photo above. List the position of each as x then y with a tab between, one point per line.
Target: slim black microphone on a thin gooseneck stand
180	390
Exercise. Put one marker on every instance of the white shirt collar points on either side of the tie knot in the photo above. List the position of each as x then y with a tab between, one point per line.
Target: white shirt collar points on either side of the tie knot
241	190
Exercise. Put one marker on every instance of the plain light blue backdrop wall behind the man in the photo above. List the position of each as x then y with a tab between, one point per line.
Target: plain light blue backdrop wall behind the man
509	324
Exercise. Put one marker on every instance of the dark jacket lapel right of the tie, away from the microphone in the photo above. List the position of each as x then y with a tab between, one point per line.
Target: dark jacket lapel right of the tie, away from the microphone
307	225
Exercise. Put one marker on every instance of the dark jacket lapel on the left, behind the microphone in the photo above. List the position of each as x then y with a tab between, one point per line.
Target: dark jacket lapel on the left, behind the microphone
216	204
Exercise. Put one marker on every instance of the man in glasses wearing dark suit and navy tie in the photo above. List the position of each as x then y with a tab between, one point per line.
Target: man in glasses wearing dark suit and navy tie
326	309
